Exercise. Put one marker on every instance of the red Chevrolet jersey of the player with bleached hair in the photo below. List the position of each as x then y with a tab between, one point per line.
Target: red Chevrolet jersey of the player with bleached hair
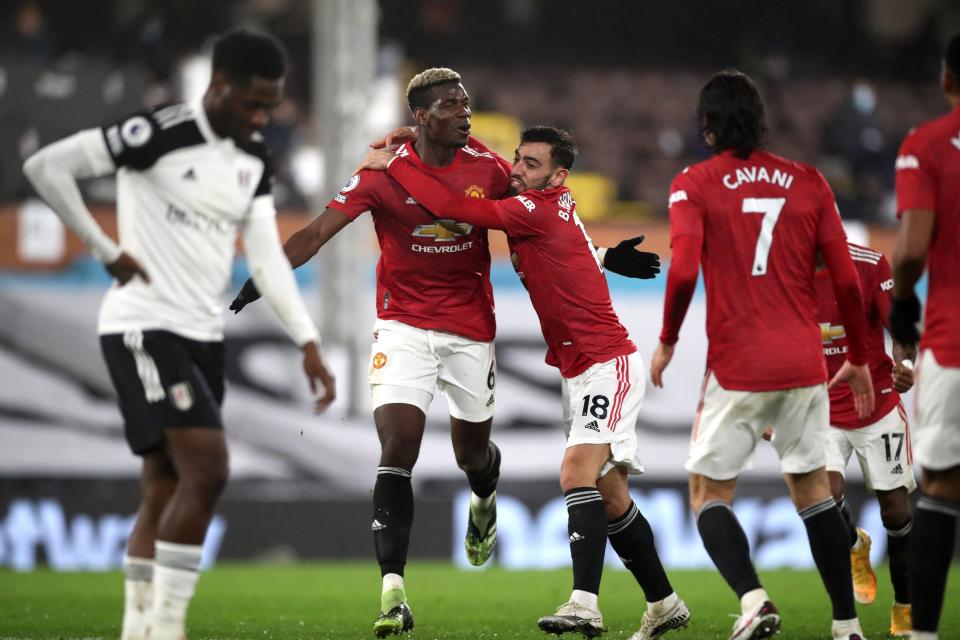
428	276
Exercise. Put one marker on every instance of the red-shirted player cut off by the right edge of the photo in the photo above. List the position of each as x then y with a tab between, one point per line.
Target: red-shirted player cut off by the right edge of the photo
928	203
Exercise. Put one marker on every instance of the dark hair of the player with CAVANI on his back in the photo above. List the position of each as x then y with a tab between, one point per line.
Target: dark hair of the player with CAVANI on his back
731	110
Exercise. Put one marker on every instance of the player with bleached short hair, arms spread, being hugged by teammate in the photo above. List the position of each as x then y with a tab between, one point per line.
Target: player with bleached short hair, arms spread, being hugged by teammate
434	329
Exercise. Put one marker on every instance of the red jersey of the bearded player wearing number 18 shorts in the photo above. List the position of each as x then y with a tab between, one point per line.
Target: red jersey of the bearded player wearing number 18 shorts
554	257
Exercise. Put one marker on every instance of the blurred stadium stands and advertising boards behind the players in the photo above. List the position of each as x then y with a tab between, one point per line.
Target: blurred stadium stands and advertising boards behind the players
843	82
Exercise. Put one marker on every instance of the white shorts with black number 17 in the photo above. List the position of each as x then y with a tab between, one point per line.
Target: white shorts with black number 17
883	450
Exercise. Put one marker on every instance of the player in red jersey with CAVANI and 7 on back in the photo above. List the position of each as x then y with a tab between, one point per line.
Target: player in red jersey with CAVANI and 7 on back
757	221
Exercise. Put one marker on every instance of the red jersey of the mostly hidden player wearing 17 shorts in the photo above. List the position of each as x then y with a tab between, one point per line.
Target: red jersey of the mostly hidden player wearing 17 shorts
876	281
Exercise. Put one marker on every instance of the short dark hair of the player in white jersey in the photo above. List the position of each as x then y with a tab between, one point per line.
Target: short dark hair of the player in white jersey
242	54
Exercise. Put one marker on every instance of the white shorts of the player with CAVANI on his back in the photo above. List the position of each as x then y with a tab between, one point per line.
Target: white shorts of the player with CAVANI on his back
729	424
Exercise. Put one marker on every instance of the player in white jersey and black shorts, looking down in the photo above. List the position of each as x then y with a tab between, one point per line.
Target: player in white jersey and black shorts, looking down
189	177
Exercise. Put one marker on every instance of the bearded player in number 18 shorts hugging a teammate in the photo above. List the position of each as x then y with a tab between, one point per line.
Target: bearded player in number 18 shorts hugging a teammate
603	382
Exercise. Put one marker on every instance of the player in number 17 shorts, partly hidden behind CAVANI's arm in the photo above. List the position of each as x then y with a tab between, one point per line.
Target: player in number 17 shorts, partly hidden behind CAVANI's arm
880	441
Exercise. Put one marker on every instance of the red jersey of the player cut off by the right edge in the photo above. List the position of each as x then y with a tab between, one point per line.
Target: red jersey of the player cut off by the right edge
928	178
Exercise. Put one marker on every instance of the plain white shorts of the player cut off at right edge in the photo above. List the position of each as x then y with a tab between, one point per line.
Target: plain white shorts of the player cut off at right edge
936	430
